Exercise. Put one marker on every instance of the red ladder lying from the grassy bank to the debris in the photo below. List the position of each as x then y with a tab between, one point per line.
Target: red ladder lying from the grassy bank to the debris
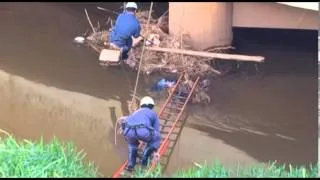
171	125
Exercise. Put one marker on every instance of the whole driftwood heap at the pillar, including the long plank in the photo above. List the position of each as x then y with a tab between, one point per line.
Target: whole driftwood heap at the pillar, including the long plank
168	53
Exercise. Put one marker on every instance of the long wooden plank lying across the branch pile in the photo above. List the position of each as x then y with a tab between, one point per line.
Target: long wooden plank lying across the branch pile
237	57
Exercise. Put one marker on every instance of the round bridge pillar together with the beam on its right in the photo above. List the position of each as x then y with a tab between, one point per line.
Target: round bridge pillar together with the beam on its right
209	24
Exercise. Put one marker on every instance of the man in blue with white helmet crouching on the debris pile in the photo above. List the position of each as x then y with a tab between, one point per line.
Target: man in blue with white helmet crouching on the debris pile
126	27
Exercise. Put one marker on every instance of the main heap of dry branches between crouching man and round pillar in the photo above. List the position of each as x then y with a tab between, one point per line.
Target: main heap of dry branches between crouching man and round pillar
167	62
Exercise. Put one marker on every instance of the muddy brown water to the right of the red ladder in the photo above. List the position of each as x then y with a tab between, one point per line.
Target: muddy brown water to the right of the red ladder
257	118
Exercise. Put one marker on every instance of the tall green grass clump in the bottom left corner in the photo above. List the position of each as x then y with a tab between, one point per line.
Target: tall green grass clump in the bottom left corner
39	159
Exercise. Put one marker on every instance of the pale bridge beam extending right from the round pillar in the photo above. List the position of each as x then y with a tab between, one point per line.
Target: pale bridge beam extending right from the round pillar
274	15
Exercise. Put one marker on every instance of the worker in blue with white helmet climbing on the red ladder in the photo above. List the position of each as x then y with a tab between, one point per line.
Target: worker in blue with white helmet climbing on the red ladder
143	125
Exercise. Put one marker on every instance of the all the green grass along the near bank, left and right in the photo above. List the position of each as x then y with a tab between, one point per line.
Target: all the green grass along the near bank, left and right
55	159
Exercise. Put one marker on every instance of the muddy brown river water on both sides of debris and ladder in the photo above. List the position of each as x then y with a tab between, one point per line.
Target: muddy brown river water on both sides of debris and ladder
49	86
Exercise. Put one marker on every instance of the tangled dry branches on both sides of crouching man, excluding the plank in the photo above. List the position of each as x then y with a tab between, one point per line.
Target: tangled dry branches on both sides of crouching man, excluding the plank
157	33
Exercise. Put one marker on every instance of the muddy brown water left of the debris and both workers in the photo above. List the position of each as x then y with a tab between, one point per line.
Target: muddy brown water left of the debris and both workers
65	92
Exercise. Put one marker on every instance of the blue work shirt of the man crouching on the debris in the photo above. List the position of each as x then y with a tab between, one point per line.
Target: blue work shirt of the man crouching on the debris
126	25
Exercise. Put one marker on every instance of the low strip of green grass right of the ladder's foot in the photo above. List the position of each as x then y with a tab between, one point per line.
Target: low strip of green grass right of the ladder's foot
217	170
